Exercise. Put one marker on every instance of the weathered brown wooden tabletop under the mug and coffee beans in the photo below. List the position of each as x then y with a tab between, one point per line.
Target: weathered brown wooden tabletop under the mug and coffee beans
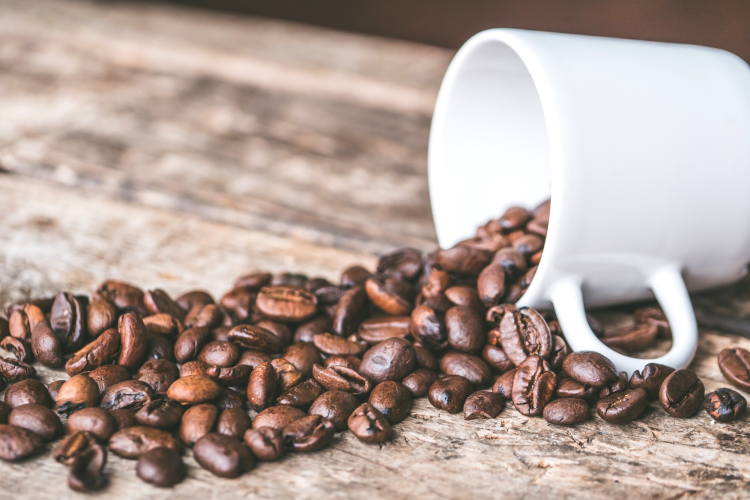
179	149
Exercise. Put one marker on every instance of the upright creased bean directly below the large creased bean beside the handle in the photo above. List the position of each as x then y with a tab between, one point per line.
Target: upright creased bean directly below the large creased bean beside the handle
533	386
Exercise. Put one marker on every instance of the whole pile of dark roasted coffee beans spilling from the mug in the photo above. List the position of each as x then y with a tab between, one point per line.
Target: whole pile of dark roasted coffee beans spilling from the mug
150	374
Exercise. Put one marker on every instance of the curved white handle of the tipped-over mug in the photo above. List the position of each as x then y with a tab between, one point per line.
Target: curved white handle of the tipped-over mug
671	293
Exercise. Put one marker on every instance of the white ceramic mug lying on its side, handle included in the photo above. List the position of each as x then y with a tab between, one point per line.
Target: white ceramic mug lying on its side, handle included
644	148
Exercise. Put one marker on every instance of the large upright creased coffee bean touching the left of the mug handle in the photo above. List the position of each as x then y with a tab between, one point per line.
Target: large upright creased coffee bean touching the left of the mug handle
524	333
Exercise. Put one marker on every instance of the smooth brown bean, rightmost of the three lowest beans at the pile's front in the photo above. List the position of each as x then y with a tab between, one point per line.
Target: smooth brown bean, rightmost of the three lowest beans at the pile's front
223	456
